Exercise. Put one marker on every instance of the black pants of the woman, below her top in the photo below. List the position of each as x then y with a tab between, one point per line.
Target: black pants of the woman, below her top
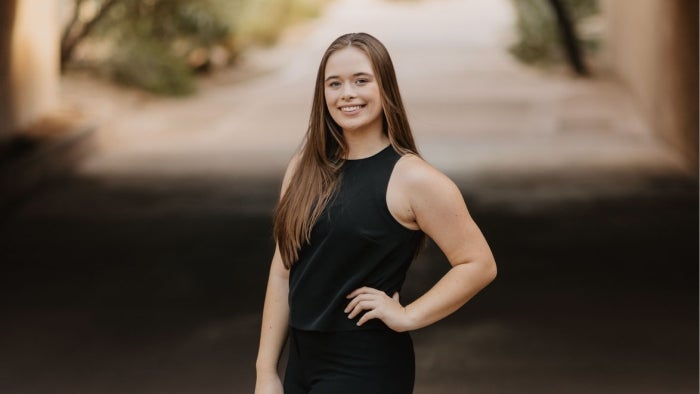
352	362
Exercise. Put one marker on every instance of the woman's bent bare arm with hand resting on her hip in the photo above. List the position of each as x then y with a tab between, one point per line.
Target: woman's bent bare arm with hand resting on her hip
436	205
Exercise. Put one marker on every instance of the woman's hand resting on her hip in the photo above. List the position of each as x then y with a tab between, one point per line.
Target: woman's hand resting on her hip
378	305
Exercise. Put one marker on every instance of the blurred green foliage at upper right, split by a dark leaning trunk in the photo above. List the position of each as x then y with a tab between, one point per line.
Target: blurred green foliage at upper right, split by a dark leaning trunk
538	32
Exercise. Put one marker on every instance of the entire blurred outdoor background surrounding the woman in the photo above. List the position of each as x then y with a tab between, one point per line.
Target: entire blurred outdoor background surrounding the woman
142	145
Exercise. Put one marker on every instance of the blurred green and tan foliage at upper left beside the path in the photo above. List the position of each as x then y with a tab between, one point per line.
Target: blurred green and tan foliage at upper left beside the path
159	45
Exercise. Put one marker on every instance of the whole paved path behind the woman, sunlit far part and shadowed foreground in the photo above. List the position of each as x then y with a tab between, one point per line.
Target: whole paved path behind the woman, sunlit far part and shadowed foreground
145	273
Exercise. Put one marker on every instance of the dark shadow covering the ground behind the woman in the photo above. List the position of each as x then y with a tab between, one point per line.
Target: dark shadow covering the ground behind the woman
137	285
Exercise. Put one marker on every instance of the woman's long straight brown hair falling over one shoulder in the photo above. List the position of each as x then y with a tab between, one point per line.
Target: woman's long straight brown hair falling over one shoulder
324	148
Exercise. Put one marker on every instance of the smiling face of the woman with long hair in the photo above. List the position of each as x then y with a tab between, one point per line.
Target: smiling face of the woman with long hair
352	92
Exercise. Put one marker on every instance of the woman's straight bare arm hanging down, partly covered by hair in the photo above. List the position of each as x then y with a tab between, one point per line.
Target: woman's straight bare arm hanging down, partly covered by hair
275	320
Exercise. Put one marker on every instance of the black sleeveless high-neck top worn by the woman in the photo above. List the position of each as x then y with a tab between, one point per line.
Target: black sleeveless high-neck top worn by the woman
355	242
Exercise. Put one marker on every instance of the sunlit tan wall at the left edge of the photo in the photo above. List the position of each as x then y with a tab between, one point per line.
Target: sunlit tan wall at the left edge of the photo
29	62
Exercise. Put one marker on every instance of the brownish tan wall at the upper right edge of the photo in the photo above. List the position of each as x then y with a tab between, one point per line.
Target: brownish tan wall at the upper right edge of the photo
652	45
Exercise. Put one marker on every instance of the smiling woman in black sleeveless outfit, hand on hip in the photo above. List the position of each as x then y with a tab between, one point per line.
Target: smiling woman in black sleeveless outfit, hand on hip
356	202
